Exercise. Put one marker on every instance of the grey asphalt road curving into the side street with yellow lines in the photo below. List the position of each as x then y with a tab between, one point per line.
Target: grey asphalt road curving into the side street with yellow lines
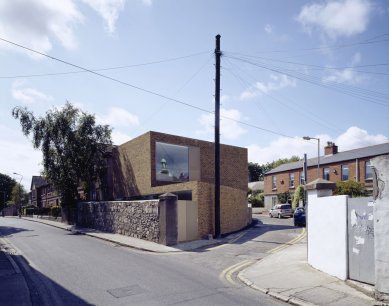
67	269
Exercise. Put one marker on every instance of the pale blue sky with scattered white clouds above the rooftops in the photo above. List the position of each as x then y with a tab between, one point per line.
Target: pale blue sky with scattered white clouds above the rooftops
289	69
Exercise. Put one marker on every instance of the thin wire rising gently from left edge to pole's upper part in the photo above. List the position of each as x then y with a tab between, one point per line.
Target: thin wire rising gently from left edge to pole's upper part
108	68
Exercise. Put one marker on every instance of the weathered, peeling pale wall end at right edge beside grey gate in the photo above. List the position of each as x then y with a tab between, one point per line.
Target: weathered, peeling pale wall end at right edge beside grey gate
381	224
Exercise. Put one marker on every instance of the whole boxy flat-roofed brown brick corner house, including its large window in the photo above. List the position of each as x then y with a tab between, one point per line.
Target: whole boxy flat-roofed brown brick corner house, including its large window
156	163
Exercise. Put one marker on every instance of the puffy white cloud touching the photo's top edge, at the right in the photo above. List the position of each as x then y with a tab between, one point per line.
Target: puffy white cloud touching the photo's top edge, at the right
336	18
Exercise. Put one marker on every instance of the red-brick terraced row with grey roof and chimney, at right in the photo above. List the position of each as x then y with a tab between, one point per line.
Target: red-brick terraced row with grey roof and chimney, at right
334	166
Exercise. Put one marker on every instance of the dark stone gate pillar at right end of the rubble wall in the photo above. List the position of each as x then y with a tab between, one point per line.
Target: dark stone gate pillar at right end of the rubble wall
168	222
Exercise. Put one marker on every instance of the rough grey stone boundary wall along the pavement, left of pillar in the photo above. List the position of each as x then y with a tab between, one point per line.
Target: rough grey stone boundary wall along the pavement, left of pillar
139	219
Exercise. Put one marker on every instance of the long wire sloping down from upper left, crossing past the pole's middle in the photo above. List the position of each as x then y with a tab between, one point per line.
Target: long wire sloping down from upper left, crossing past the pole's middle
141	89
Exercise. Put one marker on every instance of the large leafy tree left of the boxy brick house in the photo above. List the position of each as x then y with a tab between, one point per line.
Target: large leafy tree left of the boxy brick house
72	145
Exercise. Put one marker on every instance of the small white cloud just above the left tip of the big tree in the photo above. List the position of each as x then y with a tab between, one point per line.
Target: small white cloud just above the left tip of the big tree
28	95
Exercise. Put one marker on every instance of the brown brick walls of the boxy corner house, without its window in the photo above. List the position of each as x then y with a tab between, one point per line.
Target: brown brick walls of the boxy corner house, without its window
134	174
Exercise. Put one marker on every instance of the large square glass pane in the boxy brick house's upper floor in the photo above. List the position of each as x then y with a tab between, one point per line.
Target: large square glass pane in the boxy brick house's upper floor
171	162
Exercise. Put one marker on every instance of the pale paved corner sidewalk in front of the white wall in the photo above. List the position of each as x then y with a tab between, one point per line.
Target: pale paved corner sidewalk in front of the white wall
287	276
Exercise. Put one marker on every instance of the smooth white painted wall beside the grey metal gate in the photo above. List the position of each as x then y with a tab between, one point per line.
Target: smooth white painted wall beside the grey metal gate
327	234
